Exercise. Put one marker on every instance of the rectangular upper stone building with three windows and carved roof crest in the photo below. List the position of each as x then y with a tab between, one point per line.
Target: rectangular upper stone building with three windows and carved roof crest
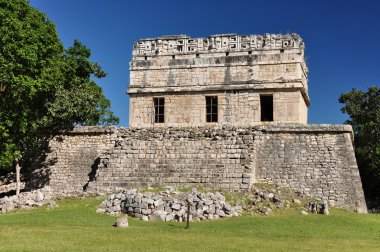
224	79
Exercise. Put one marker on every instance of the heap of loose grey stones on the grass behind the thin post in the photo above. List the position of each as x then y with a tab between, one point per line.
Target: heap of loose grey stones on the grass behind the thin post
169	205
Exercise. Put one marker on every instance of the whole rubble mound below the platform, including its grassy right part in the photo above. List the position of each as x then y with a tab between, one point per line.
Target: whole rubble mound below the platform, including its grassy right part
173	204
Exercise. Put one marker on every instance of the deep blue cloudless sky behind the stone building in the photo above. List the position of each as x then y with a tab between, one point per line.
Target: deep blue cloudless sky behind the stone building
342	38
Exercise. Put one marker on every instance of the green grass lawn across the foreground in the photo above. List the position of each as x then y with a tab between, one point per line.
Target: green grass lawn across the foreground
74	226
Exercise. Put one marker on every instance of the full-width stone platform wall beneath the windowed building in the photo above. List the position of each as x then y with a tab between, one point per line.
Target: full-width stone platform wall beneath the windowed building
317	160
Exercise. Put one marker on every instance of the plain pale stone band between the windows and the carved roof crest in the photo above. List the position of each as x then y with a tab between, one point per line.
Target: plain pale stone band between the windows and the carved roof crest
206	73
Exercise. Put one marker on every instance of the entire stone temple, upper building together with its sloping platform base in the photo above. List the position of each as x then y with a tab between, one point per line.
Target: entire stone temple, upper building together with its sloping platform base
223	112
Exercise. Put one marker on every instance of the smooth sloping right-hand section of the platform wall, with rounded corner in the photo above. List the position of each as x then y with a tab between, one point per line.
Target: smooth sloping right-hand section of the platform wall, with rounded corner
319	162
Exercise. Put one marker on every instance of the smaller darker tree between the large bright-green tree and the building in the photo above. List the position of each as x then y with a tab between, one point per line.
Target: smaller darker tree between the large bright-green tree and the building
79	100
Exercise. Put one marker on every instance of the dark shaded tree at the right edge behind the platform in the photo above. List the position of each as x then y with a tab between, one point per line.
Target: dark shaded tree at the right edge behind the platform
364	111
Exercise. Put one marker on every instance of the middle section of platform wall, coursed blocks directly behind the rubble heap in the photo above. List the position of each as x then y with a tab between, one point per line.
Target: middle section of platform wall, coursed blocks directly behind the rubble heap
187	157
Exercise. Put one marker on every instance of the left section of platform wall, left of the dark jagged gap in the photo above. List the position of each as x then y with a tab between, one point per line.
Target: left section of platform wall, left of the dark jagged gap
75	154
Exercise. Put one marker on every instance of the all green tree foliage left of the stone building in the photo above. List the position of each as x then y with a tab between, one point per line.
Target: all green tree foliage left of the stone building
43	87
